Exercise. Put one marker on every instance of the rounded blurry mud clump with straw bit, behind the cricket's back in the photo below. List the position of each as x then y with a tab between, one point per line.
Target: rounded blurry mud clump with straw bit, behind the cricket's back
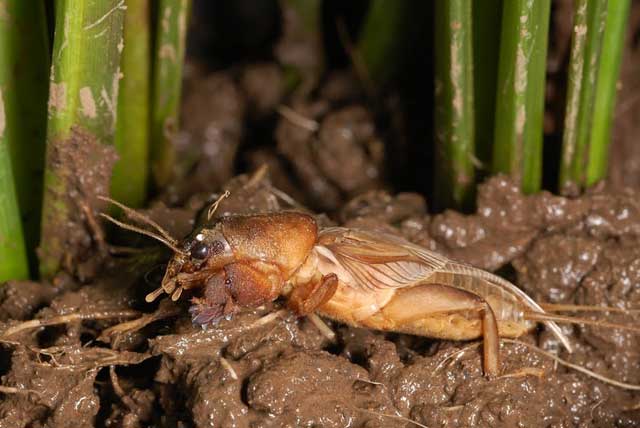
335	155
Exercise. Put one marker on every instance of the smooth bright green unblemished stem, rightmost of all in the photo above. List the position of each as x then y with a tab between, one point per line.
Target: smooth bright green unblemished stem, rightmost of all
612	47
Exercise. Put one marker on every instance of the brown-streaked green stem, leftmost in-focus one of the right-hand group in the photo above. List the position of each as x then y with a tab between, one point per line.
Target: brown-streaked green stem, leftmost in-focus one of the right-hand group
454	102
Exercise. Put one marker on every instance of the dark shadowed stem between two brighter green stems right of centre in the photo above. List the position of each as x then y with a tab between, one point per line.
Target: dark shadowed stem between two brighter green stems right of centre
487	16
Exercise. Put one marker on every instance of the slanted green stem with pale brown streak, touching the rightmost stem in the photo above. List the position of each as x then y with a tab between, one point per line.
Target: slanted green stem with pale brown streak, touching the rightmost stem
588	29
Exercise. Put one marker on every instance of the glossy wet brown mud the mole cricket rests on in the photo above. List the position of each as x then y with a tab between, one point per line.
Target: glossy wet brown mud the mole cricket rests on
127	363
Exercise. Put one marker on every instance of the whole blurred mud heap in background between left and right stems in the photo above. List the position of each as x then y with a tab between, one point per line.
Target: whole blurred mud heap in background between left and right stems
323	147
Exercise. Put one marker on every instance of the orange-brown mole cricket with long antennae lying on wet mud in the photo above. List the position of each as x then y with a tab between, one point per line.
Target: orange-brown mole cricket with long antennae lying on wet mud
360	278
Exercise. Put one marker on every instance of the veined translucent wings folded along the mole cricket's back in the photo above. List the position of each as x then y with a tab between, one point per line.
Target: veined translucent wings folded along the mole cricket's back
375	261
